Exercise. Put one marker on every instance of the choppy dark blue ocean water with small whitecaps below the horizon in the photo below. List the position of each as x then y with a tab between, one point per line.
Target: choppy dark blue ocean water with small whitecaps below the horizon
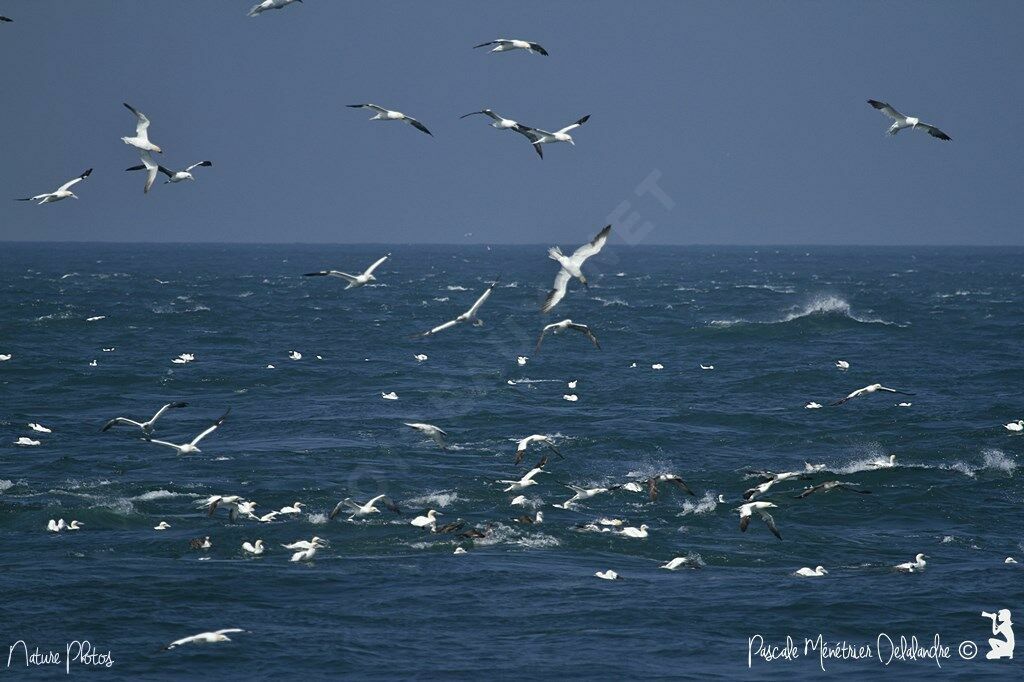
387	600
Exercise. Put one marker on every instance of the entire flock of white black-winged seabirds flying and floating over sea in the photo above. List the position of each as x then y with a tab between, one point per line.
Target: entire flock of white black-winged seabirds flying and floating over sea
570	269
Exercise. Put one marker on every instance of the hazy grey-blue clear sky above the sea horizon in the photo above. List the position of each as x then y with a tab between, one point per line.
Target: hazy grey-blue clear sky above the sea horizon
711	122
